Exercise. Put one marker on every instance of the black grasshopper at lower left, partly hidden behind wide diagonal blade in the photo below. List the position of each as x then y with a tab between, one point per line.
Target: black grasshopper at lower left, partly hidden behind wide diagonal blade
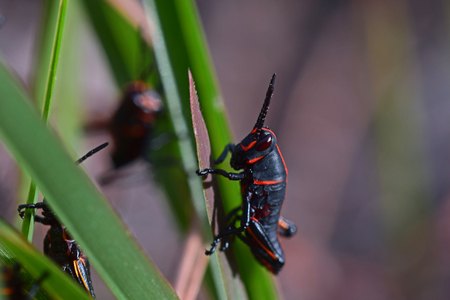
59	245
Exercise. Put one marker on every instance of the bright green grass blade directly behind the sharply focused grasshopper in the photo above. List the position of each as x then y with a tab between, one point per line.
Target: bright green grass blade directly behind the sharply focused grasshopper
187	49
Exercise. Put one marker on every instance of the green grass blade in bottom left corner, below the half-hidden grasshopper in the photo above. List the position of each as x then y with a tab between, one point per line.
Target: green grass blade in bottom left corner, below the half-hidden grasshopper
15	248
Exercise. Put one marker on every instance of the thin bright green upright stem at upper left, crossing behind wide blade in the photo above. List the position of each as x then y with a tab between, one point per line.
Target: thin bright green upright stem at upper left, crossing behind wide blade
28	224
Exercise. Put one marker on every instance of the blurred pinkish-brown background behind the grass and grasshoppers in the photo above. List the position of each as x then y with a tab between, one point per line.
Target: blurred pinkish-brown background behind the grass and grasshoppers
361	114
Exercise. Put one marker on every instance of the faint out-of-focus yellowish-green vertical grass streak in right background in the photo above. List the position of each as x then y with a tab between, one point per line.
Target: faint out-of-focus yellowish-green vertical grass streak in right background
399	140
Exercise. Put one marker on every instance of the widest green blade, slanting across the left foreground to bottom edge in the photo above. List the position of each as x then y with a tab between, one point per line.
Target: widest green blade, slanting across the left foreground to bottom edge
79	205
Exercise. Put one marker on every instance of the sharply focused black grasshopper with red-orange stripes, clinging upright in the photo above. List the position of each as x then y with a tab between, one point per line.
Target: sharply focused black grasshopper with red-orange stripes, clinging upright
263	184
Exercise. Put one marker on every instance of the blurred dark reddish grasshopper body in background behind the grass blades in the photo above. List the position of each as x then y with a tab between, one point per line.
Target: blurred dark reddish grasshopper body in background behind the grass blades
133	122
